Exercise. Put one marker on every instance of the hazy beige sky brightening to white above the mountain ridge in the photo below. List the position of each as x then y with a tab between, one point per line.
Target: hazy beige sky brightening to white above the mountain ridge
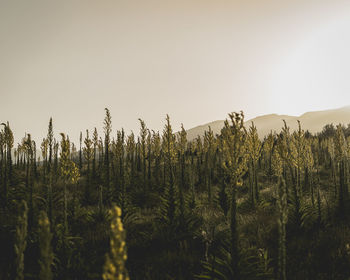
196	60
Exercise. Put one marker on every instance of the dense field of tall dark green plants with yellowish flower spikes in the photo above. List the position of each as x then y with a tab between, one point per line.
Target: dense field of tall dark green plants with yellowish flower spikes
226	206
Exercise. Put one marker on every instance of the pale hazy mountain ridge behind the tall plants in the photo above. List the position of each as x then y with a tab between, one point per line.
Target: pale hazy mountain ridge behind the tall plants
312	121
